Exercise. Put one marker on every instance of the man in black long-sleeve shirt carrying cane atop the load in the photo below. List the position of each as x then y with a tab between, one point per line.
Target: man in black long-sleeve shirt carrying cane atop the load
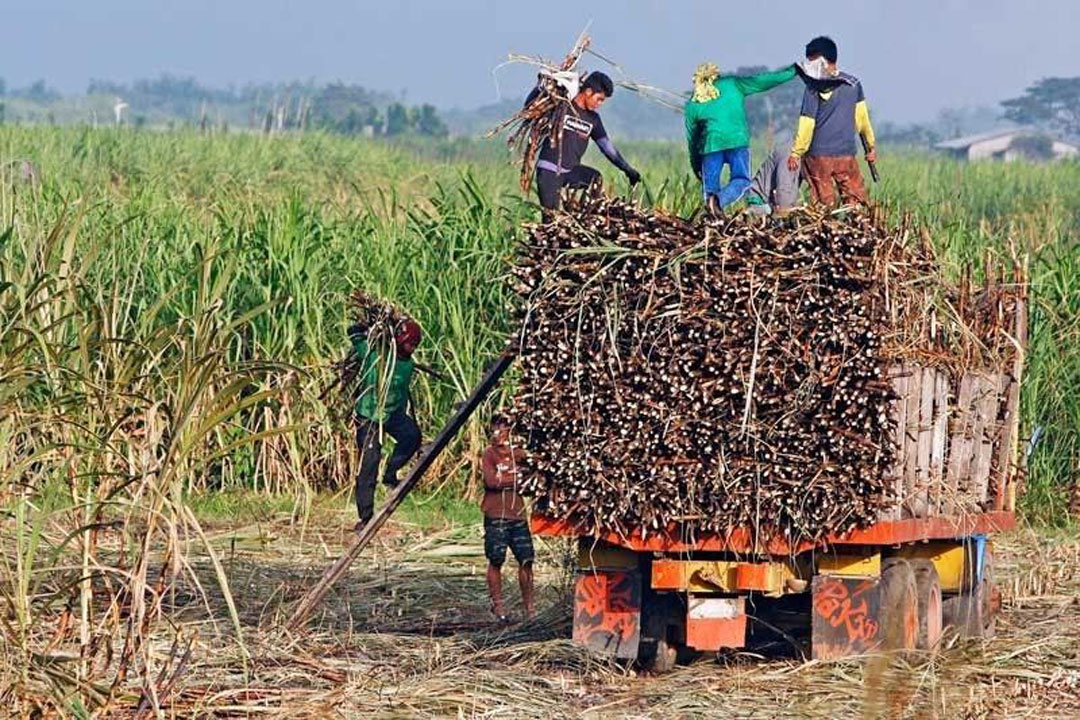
561	168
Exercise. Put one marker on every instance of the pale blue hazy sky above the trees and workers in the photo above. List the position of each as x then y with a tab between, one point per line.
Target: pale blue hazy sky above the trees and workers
914	57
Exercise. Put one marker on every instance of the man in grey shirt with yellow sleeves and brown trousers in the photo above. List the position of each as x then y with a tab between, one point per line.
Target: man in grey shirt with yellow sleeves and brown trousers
826	140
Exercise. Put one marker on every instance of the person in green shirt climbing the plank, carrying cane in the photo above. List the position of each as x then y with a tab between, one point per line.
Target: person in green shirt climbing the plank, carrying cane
384	405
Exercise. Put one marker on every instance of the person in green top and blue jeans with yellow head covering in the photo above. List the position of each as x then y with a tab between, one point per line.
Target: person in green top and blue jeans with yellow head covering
717	130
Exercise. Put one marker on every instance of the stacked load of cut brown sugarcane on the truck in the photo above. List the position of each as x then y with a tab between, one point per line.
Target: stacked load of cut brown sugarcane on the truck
709	377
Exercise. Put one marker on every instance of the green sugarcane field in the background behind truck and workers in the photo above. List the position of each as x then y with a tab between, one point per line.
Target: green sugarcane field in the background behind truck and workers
301	222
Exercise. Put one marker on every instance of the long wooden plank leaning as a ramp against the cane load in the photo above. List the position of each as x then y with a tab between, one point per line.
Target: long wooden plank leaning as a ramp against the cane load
428	456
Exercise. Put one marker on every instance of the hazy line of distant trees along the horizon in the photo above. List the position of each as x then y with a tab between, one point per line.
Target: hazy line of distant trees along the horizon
1051	104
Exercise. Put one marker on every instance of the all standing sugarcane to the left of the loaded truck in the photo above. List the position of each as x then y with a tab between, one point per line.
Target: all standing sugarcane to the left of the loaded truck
169	308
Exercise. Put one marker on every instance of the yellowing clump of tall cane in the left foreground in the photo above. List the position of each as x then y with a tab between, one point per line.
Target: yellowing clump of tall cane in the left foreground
104	418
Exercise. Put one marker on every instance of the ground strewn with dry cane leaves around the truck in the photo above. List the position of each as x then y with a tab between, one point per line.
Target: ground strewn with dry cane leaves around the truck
409	634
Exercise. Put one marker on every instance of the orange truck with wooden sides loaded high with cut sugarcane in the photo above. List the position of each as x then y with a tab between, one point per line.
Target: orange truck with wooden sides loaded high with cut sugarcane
791	429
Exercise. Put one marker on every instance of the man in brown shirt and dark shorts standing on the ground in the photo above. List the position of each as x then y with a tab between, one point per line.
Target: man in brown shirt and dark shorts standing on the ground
505	525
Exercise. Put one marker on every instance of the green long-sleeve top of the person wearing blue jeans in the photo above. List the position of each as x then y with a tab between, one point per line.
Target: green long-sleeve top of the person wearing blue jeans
721	124
